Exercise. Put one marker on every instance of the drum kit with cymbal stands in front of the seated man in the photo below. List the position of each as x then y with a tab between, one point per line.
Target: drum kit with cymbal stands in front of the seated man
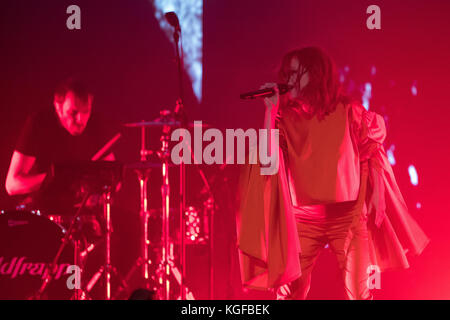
39	249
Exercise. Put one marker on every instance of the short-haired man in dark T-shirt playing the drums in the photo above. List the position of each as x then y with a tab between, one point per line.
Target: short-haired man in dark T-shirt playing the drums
67	131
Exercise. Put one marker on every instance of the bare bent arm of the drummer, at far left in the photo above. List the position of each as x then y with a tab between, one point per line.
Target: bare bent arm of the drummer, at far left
19	180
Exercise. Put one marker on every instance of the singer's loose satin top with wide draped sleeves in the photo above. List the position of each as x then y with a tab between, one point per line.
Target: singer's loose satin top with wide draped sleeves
323	159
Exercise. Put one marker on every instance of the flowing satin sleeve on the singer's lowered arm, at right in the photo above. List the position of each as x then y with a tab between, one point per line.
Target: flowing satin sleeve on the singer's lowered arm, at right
393	231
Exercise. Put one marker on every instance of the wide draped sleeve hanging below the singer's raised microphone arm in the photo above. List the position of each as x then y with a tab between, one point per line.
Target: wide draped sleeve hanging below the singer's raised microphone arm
268	243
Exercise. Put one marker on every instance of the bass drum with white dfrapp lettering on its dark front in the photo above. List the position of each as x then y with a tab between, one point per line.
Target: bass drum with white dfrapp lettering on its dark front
28	243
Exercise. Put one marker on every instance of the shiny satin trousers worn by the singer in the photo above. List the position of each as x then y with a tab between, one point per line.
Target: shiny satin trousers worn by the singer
344	229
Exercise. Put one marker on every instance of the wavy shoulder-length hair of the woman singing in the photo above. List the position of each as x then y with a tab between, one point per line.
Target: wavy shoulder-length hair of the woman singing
323	91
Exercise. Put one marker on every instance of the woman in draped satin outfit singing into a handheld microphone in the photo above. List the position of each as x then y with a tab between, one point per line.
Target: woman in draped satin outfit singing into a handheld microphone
334	186
